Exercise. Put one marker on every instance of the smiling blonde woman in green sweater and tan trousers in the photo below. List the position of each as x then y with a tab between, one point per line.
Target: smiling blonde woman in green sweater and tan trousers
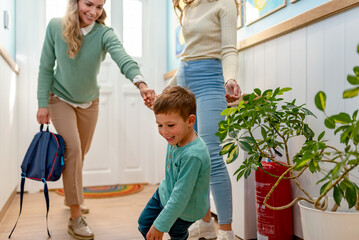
68	96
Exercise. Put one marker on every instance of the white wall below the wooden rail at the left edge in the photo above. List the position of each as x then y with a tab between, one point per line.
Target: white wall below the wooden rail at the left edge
9	173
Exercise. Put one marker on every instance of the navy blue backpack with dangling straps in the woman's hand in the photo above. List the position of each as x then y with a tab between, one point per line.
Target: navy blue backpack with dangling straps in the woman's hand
44	161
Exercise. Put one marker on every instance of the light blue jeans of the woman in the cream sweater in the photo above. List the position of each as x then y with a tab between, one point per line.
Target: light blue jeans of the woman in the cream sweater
205	79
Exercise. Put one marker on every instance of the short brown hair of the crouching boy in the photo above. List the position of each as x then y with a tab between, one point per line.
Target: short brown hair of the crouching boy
176	100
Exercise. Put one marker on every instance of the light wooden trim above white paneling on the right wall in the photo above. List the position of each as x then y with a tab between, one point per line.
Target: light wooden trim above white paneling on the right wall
314	15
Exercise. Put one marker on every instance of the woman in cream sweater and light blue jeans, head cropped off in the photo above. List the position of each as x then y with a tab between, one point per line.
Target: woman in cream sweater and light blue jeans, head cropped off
209	67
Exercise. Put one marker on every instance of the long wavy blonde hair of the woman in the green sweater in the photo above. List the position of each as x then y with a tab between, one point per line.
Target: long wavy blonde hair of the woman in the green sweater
71	31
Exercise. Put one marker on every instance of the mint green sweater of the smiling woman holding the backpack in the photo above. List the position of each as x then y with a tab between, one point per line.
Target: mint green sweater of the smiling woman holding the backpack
75	80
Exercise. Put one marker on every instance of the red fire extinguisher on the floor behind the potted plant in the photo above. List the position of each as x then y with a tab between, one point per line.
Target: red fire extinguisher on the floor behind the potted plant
273	224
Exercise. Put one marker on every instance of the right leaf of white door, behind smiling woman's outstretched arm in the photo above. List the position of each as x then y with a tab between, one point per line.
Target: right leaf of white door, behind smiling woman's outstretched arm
126	144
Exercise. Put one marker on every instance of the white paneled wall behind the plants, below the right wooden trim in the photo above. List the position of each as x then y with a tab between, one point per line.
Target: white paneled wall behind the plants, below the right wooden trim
317	57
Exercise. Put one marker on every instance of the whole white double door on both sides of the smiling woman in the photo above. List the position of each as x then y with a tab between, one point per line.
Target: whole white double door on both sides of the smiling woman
126	147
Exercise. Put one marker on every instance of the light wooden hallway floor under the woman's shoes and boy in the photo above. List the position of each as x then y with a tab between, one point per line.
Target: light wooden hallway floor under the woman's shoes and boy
110	218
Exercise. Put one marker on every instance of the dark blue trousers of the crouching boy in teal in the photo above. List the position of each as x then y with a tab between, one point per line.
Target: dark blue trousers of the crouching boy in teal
179	230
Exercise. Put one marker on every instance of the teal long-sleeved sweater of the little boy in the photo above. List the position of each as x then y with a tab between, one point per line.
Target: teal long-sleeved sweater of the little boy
184	192
